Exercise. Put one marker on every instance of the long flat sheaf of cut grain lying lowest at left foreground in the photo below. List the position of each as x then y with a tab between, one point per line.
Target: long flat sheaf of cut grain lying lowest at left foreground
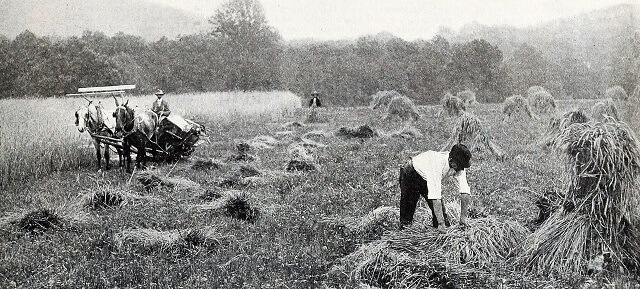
170	241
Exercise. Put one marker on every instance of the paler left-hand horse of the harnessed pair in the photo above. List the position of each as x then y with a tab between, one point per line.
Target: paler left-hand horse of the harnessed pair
93	119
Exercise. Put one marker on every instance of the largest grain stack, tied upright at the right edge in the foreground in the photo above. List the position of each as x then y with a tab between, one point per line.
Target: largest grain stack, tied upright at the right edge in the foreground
603	161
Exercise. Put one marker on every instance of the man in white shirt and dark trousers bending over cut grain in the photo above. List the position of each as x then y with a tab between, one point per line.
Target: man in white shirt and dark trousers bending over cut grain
423	175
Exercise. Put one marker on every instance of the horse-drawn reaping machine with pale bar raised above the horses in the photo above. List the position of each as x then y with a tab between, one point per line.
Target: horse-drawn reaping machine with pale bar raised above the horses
174	137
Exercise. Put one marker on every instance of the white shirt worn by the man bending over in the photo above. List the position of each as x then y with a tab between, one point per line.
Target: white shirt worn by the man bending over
434	167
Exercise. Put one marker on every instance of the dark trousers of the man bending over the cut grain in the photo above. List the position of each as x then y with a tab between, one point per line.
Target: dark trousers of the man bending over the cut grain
412	186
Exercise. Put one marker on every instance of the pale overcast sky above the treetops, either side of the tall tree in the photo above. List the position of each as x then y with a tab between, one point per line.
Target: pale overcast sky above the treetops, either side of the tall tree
409	19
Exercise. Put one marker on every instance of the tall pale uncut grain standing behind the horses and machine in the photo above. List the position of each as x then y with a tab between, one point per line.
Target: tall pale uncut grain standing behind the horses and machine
38	136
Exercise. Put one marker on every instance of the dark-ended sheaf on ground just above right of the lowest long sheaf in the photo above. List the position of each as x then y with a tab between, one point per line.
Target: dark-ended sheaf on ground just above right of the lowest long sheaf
235	204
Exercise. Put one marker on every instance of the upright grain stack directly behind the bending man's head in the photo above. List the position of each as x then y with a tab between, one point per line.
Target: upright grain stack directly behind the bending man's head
470	131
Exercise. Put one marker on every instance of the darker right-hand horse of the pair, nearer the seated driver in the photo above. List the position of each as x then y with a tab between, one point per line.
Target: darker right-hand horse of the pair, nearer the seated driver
137	129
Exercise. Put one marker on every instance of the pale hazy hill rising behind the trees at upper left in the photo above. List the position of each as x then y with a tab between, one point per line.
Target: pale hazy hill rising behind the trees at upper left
72	17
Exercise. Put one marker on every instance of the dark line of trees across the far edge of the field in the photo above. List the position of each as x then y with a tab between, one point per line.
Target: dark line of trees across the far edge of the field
242	52
